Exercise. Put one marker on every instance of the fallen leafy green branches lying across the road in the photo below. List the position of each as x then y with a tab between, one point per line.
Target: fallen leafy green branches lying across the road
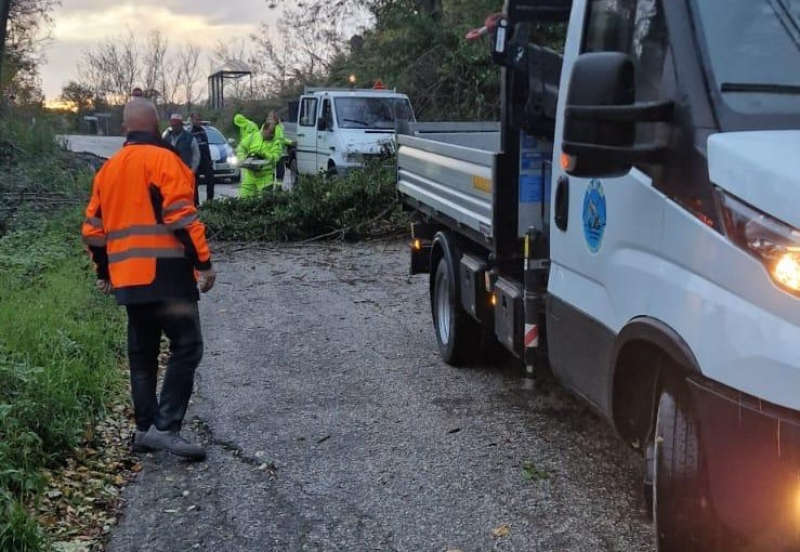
361	204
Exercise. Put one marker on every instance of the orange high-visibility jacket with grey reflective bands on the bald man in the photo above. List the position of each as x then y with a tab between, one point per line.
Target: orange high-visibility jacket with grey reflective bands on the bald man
142	227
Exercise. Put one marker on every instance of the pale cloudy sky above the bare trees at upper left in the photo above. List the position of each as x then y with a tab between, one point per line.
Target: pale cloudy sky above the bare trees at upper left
79	24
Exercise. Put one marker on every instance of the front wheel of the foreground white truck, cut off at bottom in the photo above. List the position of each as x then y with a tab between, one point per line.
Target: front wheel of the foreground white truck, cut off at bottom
684	521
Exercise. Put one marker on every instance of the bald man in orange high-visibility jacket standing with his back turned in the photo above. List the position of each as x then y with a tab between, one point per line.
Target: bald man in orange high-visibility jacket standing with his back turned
150	250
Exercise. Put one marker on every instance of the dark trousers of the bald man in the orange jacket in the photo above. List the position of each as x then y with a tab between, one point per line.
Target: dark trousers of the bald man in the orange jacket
180	322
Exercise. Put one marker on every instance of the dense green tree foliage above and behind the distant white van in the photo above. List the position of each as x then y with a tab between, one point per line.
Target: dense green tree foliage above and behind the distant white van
416	46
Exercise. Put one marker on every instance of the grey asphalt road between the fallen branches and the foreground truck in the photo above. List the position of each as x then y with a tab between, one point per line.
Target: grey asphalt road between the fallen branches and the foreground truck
333	425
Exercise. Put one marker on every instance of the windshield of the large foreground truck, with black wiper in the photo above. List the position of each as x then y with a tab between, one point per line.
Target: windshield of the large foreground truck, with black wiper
753	47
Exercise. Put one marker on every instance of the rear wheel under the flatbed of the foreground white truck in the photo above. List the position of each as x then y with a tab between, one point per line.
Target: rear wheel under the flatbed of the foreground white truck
456	333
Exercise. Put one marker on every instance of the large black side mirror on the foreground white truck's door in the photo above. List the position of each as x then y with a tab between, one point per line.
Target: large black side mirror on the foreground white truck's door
602	114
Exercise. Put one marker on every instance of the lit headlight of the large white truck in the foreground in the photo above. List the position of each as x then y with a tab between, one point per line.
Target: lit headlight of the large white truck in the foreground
774	243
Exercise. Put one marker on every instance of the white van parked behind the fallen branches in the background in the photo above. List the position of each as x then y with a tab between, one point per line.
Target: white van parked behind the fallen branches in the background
336	130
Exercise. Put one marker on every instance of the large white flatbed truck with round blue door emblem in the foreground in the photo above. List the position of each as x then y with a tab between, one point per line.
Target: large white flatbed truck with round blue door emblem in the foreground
634	226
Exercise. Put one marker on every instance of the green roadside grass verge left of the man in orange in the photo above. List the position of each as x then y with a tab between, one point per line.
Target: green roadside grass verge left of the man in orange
60	341
